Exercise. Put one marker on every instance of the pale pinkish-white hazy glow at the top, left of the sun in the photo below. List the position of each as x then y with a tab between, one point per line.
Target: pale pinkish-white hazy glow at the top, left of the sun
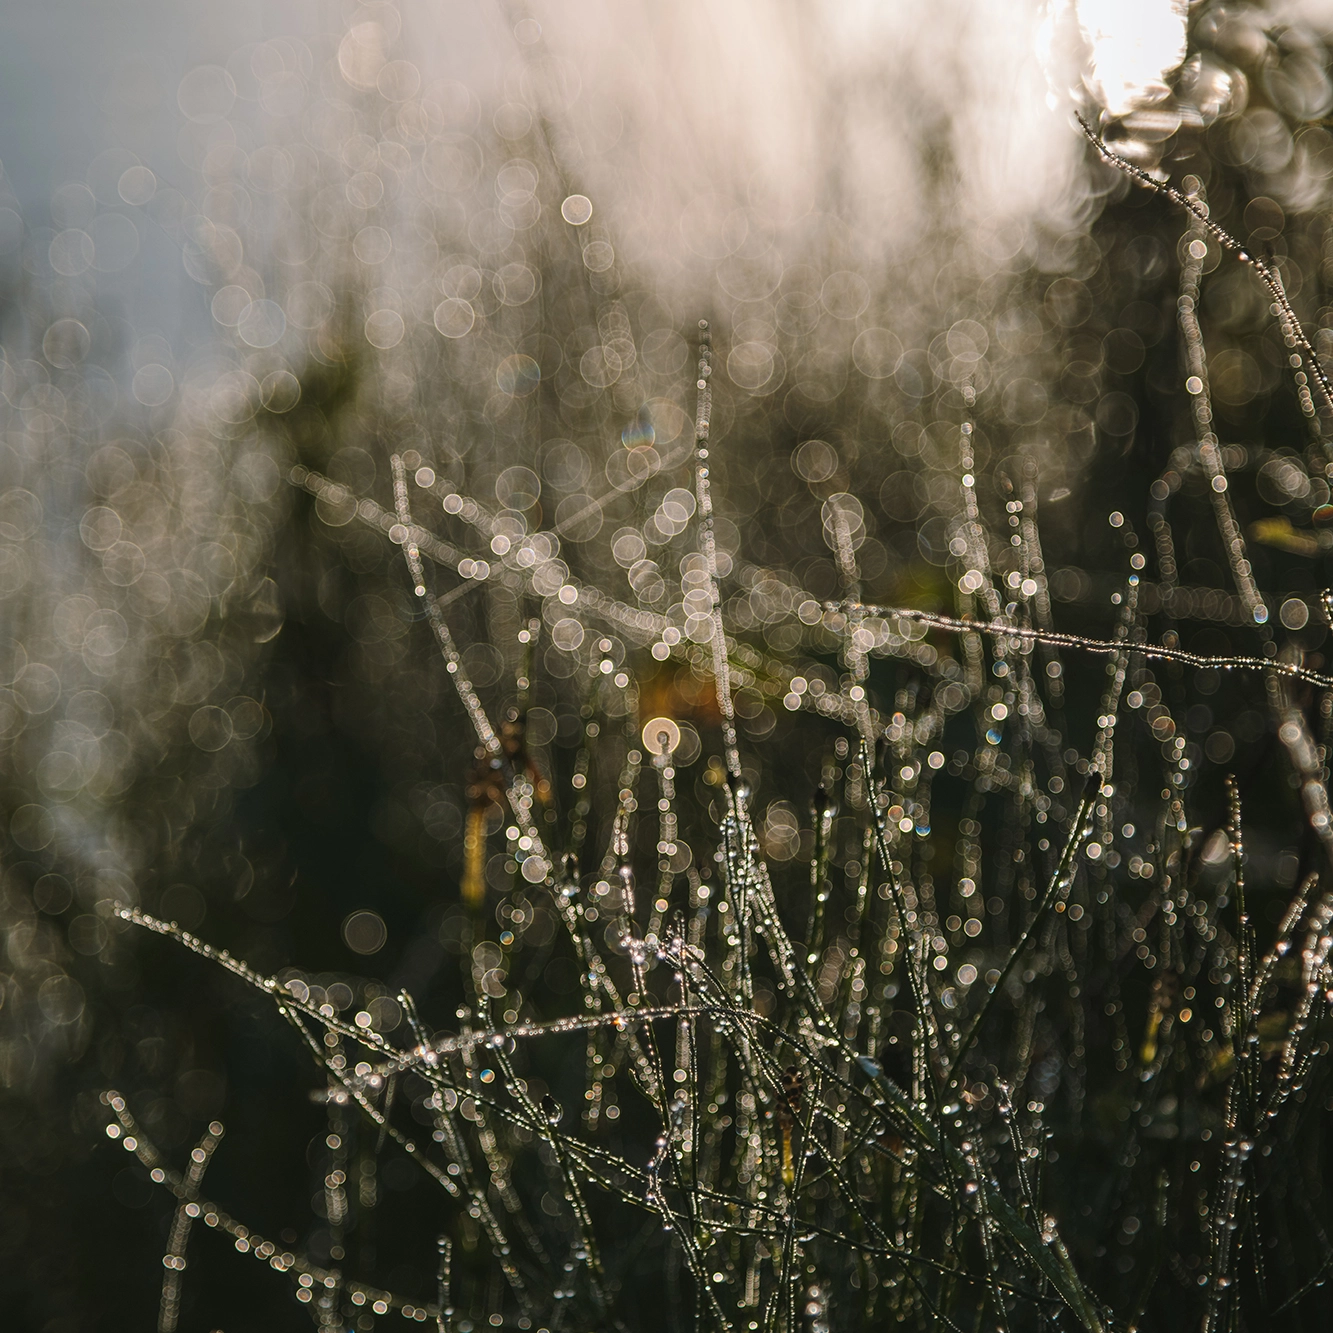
860	121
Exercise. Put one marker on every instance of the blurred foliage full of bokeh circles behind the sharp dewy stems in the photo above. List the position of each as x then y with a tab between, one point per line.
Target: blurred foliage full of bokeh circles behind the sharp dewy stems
218	699
